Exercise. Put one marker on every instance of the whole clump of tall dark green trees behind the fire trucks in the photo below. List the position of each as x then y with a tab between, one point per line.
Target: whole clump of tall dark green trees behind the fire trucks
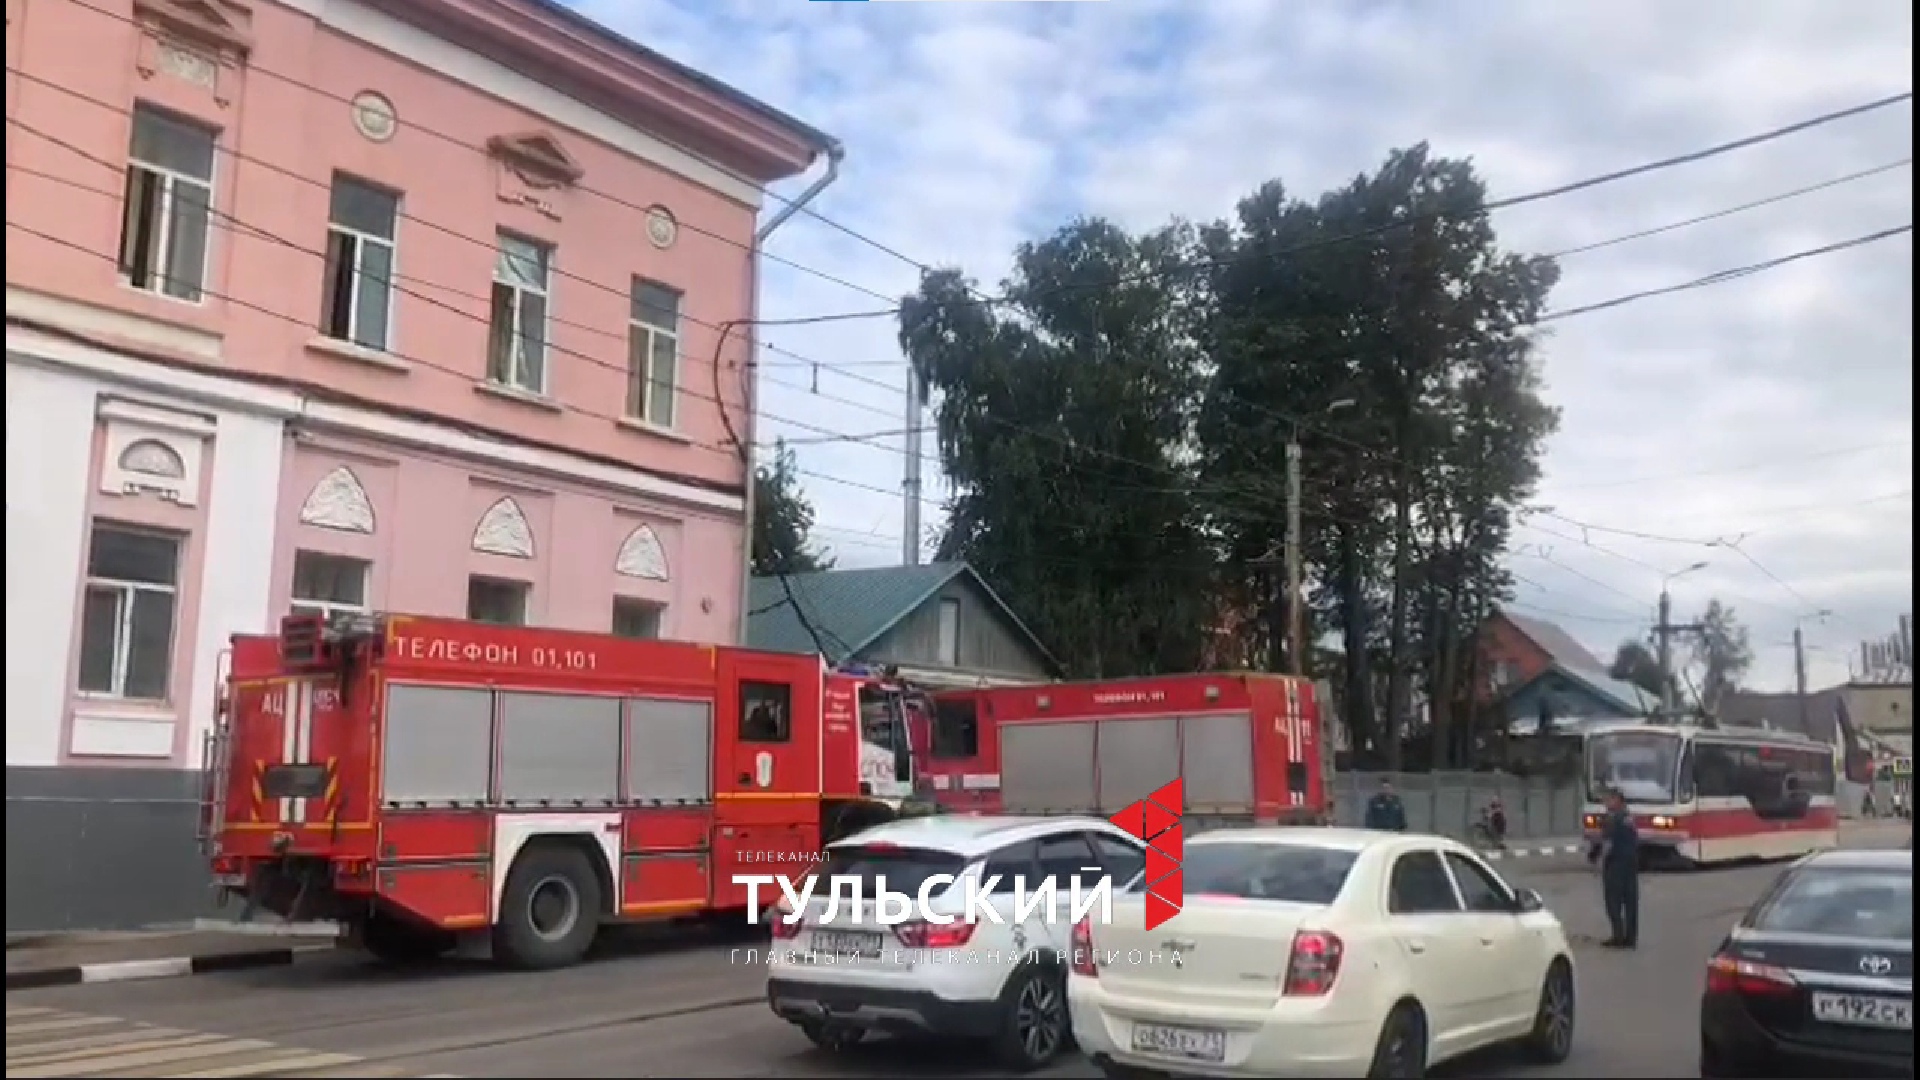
1118	435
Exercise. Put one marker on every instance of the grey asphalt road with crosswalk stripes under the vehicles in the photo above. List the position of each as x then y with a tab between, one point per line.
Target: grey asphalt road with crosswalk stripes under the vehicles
652	1008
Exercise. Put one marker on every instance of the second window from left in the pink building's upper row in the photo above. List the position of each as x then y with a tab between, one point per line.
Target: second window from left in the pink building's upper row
358	299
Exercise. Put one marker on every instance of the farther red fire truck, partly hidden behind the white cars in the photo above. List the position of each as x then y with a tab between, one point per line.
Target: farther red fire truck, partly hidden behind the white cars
1251	749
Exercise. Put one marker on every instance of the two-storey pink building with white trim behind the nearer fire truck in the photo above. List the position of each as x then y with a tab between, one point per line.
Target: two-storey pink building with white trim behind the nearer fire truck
348	305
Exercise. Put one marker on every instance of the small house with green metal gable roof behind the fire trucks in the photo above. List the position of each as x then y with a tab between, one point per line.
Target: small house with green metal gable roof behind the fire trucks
940	624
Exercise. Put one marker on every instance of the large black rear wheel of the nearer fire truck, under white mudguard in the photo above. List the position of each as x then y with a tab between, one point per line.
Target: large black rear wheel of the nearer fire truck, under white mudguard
550	912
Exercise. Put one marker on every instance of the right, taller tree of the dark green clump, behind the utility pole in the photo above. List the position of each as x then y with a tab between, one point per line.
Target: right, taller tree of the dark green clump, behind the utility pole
1393	297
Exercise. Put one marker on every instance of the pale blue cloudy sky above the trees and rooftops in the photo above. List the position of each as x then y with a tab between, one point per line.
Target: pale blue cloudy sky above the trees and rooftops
1775	410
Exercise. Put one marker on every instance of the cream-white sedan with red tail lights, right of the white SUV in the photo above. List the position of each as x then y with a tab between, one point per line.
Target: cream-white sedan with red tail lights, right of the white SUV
1322	952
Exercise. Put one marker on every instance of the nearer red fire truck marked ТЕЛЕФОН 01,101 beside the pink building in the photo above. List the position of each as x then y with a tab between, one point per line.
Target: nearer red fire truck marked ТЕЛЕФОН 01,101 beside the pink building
429	779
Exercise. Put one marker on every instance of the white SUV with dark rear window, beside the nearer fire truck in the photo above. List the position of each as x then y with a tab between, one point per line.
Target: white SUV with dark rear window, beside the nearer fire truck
1003	983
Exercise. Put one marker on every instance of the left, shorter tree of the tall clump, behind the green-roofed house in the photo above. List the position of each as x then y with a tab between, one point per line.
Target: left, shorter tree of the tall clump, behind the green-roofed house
1065	428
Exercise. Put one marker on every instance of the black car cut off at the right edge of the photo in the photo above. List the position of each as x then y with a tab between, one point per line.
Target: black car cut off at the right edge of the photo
1819	977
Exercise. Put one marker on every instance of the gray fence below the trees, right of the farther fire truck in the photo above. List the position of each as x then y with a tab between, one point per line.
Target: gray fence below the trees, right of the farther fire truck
1451	802
